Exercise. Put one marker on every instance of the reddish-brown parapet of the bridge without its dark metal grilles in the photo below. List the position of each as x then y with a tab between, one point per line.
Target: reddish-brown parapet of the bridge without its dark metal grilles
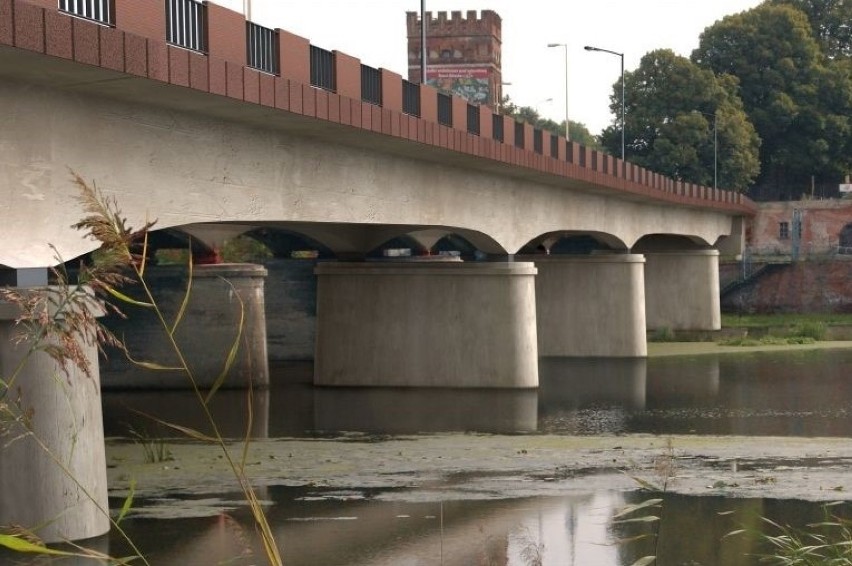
136	45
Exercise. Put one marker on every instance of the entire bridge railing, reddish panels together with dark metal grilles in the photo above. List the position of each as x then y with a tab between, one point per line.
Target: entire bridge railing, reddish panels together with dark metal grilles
236	57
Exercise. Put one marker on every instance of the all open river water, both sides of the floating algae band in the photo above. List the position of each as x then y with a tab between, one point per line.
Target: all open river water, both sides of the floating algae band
798	393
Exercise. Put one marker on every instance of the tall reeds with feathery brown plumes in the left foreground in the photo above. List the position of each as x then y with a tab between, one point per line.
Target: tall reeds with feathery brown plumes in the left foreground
120	259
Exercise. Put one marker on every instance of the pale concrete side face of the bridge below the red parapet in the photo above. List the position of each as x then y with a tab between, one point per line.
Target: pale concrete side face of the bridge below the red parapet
181	167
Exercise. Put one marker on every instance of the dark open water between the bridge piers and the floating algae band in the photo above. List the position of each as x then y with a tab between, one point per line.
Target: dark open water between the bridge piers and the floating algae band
804	393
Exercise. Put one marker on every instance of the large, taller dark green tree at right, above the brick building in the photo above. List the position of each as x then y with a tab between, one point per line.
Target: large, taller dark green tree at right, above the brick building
799	105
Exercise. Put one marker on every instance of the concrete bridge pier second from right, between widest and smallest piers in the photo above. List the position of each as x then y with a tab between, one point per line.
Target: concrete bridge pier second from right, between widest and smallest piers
591	306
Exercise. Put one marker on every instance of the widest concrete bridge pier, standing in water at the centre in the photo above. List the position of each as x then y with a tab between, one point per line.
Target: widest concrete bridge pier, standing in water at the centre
426	324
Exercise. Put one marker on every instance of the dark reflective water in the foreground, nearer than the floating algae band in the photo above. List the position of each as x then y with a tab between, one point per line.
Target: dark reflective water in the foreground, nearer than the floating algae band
357	528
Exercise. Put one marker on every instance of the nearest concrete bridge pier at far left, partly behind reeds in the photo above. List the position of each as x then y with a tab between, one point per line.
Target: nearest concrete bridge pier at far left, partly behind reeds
64	414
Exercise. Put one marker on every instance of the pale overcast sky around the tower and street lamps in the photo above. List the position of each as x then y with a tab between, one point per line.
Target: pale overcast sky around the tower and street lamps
374	31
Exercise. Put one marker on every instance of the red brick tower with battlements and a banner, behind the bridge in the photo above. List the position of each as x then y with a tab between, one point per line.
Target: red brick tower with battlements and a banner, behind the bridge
463	54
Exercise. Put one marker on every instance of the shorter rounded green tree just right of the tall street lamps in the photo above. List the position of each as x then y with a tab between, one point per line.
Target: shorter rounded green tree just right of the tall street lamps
681	120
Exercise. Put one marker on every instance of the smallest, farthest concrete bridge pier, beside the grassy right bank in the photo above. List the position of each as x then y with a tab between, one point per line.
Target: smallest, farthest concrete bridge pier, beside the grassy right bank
682	290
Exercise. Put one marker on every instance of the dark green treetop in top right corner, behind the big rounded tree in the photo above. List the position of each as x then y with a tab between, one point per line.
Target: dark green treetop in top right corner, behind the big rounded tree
830	21
